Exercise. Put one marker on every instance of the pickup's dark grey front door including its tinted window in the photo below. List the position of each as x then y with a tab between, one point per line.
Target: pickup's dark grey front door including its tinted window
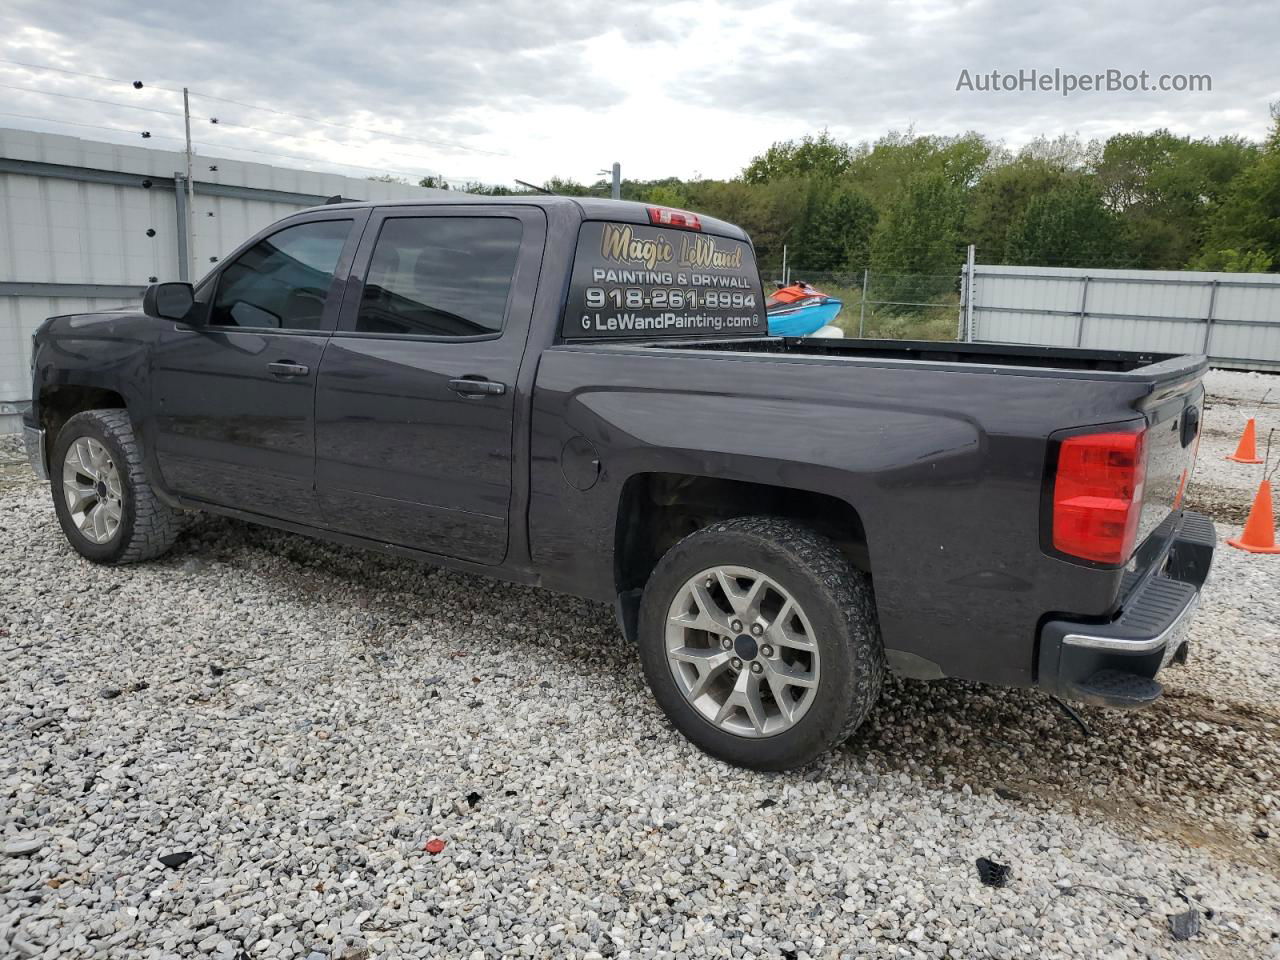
235	394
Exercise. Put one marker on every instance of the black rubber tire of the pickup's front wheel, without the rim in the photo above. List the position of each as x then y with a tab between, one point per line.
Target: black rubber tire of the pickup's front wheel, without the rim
148	527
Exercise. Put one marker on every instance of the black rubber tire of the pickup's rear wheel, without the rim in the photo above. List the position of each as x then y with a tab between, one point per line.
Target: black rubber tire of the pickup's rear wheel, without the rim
838	601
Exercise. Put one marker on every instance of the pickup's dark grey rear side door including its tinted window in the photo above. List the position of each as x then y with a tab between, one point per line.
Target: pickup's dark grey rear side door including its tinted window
417	397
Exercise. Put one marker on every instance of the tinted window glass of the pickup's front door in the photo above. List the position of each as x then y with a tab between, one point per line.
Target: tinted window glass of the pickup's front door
282	282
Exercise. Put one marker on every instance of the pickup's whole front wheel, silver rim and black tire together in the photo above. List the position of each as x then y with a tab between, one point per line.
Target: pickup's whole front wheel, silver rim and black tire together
140	527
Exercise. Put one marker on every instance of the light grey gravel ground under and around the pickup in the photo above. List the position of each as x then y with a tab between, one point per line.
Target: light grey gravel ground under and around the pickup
303	720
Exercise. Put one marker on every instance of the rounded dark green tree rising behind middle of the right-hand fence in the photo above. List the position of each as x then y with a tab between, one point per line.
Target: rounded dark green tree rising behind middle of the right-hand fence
1068	227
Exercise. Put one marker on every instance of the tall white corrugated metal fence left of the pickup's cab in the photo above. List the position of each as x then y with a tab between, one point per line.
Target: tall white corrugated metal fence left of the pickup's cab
88	226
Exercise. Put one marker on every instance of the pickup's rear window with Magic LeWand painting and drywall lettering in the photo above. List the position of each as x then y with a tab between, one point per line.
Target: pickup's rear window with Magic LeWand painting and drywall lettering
642	281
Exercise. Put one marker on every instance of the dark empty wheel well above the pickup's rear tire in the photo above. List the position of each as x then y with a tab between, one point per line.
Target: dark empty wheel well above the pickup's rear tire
657	510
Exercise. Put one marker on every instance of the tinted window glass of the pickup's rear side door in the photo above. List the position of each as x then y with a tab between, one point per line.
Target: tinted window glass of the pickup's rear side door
441	276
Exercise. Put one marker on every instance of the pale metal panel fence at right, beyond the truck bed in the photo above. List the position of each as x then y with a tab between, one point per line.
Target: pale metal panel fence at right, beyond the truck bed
1233	318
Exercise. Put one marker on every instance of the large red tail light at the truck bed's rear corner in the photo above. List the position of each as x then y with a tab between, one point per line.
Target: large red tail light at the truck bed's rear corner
1098	496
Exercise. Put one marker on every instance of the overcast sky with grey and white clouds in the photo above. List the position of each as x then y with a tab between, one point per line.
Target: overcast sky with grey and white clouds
513	89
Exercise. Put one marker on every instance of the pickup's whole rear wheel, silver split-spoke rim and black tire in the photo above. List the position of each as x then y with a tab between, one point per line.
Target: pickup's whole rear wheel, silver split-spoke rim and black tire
761	642
